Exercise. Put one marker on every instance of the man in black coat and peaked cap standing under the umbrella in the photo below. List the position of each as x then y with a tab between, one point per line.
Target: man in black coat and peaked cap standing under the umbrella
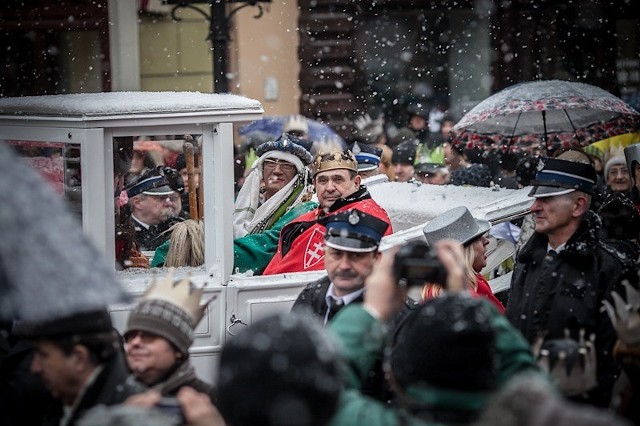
562	276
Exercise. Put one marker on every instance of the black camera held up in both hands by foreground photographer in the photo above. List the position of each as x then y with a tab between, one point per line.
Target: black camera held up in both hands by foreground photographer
416	264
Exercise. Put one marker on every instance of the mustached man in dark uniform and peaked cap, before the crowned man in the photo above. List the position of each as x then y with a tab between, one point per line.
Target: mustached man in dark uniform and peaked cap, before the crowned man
351	249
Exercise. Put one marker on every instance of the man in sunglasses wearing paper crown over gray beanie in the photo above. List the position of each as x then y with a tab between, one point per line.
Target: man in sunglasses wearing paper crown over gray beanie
159	333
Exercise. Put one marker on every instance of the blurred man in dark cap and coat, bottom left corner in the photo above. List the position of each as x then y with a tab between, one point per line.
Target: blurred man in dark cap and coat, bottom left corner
81	363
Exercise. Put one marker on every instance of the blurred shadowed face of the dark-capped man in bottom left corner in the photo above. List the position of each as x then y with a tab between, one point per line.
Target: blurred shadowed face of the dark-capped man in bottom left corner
58	371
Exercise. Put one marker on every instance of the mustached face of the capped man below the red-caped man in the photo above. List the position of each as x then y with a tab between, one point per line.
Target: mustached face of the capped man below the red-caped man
348	270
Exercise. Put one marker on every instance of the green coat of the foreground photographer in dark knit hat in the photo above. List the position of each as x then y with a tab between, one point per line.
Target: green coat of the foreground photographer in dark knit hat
362	338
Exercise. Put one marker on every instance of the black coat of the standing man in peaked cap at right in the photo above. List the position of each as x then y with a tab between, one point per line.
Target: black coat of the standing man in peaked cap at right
557	292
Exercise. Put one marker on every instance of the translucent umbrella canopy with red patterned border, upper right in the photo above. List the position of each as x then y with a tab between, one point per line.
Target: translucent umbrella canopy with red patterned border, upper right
544	115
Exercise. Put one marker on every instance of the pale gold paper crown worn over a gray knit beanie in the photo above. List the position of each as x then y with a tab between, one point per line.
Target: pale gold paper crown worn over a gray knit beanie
181	293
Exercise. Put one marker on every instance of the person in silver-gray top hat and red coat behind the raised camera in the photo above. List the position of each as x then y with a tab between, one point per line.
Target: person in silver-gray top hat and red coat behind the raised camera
459	225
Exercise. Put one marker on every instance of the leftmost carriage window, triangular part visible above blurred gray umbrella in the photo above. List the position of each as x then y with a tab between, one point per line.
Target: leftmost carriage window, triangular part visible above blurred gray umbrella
59	165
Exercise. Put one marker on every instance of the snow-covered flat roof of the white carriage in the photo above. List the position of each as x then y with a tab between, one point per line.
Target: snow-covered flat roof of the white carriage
91	106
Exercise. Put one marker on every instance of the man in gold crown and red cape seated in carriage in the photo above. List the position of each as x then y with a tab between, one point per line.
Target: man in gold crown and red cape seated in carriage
338	188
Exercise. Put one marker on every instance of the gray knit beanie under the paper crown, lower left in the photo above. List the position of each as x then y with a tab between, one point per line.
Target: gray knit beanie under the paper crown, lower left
164	319
